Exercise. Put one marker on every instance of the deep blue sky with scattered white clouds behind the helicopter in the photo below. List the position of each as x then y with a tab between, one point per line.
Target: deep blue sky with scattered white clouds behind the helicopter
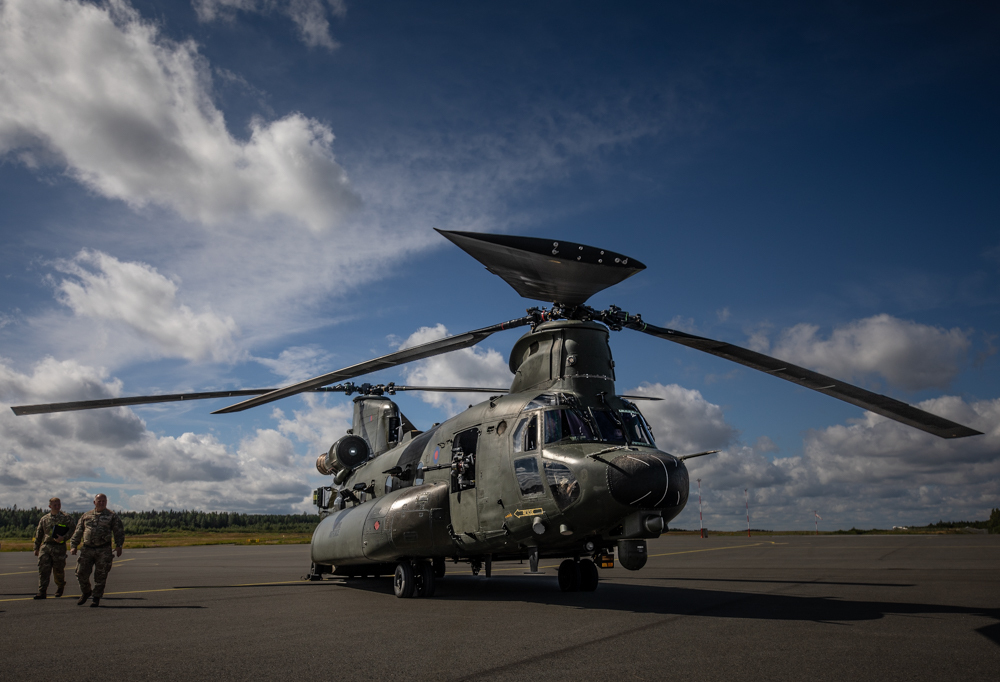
240	193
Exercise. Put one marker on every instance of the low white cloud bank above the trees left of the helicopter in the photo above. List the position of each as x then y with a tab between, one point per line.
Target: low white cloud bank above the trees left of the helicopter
74	455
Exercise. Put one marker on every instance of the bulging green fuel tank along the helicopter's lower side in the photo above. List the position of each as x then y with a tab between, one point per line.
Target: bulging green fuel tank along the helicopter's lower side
408	522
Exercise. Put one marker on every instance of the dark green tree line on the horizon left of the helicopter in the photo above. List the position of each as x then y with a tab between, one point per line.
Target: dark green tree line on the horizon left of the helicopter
21	523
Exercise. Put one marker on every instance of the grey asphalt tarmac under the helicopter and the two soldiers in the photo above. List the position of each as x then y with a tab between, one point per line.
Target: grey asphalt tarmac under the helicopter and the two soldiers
721	608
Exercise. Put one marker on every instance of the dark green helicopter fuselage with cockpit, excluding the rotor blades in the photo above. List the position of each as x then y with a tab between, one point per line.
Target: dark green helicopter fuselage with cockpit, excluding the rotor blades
559	467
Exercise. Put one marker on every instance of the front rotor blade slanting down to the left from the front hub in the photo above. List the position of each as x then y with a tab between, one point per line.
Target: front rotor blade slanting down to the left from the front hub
401	357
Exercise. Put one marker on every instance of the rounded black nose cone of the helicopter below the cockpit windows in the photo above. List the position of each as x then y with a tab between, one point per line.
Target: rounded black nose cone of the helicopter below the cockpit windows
648	480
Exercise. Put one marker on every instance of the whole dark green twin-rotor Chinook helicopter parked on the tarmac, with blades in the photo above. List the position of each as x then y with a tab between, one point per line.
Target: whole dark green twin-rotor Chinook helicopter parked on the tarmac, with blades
558	465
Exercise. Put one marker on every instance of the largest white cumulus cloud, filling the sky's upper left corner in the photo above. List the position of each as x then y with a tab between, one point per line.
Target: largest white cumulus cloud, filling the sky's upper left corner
129	113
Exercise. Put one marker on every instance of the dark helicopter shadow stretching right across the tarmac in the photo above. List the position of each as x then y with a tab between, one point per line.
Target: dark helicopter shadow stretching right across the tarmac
685	601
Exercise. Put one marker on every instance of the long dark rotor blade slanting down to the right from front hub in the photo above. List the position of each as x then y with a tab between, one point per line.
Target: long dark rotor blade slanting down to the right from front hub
875	402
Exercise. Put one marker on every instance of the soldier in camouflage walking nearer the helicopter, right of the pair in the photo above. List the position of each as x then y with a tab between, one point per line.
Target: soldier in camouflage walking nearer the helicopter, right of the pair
96	528
